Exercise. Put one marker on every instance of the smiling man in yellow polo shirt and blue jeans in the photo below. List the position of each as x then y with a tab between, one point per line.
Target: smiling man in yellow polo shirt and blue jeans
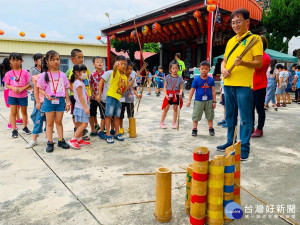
238	84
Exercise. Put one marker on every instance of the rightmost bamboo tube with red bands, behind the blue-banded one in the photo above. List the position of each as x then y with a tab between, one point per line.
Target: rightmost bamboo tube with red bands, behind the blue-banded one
237	174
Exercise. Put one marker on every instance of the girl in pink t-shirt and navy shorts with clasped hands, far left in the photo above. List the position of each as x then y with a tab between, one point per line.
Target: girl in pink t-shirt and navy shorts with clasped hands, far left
17	81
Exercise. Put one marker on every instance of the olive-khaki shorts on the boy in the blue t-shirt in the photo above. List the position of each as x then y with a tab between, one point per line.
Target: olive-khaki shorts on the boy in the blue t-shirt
203	106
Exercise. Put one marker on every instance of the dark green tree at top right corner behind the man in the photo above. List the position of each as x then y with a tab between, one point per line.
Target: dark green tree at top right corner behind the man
281	21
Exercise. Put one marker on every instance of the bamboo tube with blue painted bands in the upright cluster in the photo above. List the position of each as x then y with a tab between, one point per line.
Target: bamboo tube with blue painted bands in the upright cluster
228	181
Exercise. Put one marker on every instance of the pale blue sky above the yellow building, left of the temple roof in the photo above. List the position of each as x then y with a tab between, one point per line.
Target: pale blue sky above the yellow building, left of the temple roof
65	20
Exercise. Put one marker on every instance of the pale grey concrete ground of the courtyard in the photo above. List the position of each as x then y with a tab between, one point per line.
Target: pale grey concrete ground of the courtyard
79	187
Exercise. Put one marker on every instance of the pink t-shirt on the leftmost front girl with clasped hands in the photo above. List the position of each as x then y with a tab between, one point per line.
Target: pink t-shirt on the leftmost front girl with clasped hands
17	79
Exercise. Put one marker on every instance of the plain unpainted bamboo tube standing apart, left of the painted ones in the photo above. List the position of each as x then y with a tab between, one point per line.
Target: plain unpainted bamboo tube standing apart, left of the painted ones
163	208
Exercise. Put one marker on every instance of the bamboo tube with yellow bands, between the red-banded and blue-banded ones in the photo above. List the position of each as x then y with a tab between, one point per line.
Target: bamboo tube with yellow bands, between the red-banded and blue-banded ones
215	191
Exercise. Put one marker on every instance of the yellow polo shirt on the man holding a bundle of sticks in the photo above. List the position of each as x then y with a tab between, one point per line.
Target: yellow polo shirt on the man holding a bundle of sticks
241	75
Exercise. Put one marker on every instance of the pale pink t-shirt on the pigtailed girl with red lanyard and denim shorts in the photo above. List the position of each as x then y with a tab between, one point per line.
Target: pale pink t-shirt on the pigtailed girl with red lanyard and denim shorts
59	81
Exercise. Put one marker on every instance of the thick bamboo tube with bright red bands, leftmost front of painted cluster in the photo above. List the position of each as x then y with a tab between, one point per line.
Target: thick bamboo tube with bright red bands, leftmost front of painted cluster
199	186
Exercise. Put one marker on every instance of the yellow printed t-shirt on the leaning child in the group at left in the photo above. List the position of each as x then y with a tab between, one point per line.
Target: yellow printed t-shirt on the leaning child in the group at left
117	85
